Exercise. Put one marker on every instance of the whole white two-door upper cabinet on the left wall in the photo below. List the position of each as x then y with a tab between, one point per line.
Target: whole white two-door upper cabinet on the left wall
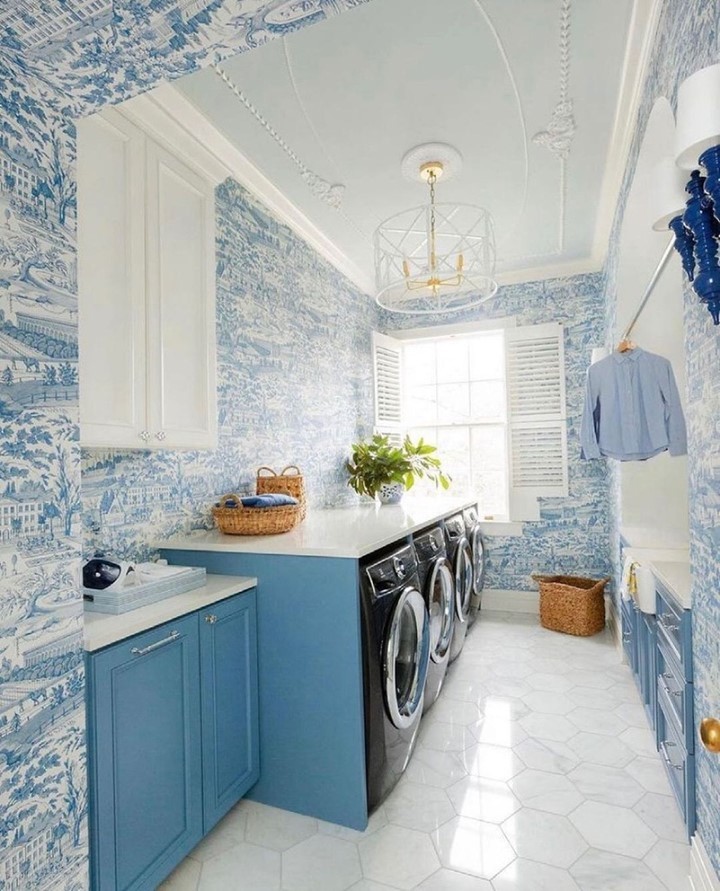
146	272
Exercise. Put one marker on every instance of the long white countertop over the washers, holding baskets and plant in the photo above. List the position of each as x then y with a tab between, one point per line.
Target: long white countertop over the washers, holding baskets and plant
350	532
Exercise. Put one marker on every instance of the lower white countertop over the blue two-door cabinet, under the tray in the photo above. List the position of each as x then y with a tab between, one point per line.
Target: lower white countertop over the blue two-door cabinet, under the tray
103	629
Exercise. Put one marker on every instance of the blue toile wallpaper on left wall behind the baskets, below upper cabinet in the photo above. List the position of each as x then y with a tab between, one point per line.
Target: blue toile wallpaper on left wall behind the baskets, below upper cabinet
294	387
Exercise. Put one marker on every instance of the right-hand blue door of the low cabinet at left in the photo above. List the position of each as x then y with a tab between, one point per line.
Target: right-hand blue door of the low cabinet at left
228	673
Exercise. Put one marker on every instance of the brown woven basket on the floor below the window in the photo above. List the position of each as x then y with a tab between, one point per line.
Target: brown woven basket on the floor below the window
571	604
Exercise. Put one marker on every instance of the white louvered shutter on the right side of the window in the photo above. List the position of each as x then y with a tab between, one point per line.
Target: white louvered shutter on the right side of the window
537	428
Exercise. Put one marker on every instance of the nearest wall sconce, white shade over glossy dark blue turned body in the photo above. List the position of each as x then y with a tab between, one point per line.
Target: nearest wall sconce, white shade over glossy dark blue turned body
697	144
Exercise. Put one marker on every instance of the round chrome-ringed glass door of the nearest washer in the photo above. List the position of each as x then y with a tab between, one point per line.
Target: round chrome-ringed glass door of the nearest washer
407	651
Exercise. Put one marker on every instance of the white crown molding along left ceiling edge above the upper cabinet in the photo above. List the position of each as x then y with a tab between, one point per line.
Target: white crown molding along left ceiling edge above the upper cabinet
174	119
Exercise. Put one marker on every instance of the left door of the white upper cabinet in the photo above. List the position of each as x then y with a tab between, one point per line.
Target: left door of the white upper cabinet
111	278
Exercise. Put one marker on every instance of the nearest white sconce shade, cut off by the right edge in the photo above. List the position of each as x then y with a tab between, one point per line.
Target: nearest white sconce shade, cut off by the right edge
698	116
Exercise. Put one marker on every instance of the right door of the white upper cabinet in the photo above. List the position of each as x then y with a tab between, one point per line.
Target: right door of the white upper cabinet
181	303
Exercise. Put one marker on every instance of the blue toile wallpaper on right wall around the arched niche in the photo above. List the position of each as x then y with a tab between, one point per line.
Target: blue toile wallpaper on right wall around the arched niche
688	38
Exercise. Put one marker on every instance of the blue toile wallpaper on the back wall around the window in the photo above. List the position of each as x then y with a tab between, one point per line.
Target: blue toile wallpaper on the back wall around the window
573	533
